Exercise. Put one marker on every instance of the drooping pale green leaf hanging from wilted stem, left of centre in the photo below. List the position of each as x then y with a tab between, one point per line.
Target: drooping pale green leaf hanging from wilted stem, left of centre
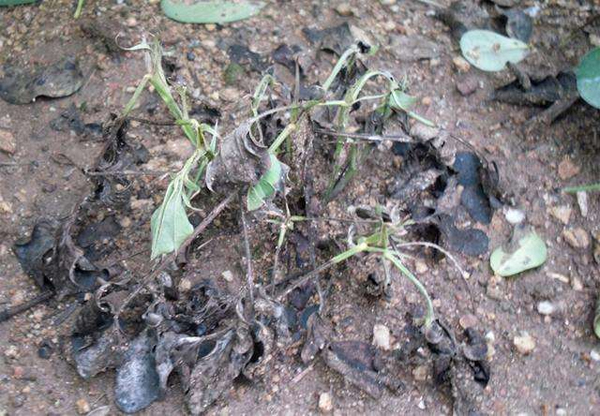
170	225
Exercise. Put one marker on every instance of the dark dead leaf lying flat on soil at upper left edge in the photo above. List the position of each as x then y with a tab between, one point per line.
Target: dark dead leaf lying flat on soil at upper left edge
22	86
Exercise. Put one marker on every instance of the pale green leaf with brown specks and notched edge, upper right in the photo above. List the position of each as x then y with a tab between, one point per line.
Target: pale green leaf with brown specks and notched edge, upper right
490	51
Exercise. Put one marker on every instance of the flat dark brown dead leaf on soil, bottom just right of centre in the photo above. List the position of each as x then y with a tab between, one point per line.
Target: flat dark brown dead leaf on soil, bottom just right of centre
357	362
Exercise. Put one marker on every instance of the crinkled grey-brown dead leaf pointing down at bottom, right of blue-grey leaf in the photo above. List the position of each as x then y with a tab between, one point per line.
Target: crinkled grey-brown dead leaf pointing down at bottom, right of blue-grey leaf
214	373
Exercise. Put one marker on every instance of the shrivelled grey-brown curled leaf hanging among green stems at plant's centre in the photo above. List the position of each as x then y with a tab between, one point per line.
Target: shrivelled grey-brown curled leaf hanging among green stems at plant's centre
240	160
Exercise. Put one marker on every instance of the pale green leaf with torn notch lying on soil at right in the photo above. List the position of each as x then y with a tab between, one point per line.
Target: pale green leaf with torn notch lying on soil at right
526	251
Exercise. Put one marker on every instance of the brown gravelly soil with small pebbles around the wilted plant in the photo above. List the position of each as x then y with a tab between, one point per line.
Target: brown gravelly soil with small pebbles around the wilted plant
45	176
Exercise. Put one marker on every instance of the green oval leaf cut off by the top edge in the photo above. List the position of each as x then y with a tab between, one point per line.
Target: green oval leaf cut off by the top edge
209	11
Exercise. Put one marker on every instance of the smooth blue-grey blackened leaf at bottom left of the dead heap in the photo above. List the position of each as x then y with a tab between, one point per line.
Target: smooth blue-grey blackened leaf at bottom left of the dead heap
137	383
